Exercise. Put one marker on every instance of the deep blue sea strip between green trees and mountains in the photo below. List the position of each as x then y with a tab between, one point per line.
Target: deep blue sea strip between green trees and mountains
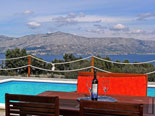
130	57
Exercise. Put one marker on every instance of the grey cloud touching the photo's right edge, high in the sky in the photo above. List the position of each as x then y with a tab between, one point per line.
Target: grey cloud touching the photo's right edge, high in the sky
145	16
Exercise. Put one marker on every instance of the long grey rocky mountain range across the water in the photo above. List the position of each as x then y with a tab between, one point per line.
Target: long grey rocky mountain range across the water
59	43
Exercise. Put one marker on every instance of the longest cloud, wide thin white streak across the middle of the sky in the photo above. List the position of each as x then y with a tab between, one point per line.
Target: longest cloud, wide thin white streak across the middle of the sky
81	18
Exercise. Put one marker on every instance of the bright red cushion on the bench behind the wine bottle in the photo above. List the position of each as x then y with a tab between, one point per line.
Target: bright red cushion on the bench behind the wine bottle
134	85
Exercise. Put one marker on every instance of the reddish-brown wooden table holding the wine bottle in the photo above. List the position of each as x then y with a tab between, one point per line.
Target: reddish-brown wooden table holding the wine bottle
69	106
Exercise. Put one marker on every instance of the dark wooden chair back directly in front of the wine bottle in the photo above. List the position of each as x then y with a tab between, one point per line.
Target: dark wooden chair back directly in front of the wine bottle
98	108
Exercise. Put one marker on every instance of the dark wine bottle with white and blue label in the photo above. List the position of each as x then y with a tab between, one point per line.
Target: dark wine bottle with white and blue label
94	95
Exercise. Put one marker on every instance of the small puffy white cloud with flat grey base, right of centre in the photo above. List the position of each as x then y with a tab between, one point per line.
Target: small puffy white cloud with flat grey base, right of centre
119	27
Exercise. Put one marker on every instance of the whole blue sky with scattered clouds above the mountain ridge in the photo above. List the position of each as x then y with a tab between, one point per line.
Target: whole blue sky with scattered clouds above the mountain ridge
91	18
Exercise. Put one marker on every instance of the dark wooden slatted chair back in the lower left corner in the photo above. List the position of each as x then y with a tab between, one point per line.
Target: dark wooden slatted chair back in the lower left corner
30	105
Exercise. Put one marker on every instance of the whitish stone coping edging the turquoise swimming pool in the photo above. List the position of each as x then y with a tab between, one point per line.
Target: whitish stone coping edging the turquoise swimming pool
52	80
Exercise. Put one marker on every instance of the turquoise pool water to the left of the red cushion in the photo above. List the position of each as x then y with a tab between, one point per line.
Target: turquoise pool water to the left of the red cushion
32	88
